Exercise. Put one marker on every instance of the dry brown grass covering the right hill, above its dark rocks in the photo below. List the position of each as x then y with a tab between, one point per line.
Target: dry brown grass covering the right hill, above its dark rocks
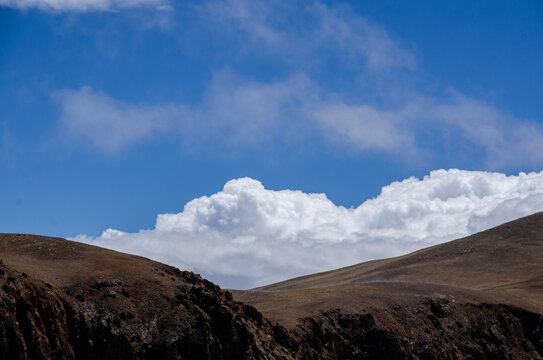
501	265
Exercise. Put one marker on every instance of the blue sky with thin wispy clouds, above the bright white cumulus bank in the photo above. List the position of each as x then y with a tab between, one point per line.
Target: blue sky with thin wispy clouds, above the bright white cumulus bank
115	111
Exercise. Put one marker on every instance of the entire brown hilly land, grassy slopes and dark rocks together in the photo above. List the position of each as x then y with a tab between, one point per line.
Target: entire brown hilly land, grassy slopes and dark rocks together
480	297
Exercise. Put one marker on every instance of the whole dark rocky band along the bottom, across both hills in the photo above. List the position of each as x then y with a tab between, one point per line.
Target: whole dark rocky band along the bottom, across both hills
201	321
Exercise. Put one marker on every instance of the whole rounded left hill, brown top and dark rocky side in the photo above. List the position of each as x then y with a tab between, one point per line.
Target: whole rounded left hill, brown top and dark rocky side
61	300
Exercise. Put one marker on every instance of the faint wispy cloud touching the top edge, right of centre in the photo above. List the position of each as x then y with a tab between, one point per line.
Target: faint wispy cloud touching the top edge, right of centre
295	31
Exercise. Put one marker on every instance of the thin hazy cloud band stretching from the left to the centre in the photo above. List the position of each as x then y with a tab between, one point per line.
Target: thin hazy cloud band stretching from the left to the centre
233	111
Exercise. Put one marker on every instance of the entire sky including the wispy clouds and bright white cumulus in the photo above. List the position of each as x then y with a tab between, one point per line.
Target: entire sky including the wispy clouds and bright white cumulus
253	141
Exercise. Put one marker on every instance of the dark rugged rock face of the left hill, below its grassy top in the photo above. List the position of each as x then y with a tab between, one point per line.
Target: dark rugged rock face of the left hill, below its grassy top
200	321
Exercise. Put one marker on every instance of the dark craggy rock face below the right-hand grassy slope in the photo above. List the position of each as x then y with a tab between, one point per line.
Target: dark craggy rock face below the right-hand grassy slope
464	332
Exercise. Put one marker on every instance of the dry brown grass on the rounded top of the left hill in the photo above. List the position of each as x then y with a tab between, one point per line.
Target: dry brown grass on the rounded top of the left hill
71	265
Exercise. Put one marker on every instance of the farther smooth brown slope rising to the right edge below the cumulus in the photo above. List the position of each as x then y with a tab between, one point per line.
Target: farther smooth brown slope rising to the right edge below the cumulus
502	258
